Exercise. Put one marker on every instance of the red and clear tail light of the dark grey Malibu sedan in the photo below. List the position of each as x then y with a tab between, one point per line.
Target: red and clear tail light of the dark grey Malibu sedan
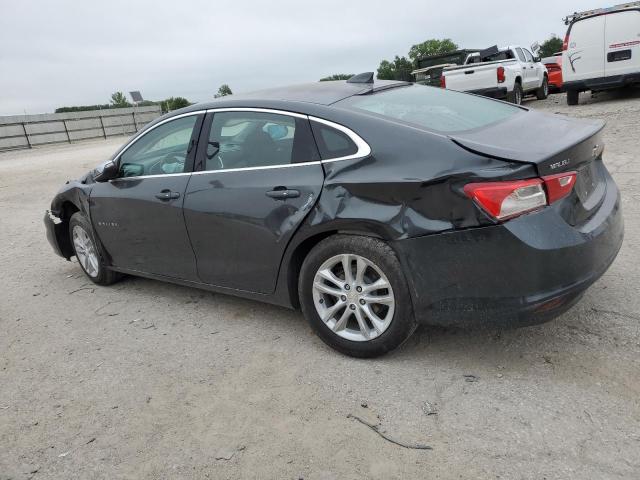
505	200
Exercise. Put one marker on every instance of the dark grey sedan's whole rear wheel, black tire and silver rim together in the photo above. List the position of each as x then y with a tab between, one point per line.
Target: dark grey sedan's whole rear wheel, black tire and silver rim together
355	296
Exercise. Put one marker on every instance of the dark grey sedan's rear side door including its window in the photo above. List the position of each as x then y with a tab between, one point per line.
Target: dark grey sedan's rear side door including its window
257	176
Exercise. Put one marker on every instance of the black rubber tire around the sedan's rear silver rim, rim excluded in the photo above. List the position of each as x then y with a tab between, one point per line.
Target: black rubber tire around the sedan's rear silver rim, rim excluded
402	323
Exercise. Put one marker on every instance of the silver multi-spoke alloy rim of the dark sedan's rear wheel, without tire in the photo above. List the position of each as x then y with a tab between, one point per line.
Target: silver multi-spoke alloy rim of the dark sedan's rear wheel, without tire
353	297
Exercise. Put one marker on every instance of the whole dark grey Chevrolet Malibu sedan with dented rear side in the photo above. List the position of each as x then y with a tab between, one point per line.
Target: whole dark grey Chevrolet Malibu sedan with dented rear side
373	206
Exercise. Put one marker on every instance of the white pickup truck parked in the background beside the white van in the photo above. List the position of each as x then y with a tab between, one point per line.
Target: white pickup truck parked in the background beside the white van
506	73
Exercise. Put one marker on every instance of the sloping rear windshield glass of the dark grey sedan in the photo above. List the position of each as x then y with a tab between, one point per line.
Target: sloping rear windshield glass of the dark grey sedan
433	108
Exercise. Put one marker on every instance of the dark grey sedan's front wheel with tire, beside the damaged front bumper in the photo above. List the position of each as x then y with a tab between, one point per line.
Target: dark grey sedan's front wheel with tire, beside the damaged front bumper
87	252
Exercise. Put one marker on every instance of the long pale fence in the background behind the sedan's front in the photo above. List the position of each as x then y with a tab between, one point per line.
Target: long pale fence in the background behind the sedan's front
26	131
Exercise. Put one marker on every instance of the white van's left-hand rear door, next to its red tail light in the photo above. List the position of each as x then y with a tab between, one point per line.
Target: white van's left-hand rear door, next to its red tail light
585	55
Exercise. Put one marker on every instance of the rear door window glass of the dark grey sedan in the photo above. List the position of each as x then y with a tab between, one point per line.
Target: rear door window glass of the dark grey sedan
258	139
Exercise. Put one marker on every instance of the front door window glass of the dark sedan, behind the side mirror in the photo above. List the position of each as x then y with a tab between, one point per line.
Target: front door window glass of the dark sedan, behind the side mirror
161	151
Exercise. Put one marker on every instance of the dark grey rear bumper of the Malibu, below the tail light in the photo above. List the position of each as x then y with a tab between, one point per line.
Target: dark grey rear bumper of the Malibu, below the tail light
525	271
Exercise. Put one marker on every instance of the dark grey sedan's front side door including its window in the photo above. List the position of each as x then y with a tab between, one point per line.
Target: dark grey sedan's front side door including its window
138	215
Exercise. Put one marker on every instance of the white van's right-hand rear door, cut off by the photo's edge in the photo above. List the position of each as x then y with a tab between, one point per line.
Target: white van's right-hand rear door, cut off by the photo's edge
622	43
